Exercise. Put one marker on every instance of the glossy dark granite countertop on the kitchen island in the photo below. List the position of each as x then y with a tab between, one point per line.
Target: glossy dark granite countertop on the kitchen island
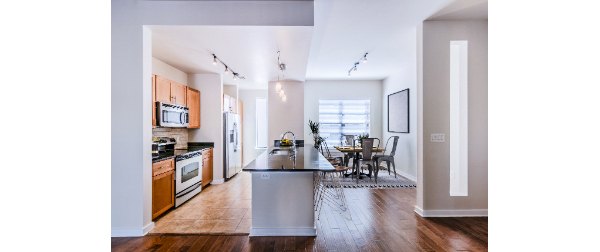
307	159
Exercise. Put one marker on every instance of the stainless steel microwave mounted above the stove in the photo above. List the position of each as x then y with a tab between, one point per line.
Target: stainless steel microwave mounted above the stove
170	115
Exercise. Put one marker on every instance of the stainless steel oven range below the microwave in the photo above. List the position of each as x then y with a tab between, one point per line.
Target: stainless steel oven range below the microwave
188	176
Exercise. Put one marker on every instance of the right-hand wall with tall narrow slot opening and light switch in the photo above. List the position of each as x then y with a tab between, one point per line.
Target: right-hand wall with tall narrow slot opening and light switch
436	36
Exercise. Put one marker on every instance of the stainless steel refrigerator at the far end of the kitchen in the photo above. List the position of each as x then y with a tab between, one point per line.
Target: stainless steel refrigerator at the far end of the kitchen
232	149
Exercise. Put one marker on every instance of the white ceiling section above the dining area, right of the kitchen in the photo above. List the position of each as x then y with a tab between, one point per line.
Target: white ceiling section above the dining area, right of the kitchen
346	29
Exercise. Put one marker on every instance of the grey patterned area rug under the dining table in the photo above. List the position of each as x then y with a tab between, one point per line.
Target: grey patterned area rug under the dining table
383	181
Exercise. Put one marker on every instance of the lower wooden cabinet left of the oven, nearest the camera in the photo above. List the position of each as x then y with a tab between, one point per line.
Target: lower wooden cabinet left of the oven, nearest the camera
163	186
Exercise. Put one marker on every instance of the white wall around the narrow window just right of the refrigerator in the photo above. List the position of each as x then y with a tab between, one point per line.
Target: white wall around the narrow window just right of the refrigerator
248	97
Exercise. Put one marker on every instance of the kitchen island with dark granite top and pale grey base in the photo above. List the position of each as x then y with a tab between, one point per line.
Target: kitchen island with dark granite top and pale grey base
282	191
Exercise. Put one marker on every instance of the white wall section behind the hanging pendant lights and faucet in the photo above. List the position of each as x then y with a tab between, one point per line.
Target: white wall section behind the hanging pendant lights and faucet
288	115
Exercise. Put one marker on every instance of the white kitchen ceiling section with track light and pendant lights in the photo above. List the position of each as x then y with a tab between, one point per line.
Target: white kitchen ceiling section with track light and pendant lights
249	50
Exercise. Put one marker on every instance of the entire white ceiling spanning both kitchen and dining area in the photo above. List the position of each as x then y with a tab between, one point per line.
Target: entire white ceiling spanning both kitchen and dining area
344	30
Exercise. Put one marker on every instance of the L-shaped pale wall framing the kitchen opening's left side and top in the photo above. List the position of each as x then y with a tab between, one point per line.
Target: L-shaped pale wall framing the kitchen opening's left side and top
131	71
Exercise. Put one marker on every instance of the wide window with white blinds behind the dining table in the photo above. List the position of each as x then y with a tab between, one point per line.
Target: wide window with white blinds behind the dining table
343	117
